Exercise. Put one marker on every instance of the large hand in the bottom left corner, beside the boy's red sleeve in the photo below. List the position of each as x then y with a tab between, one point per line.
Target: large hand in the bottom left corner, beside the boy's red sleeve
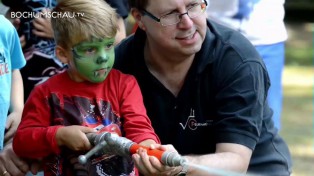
10	163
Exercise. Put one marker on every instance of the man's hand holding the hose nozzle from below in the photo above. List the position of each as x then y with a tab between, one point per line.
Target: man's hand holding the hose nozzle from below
150	165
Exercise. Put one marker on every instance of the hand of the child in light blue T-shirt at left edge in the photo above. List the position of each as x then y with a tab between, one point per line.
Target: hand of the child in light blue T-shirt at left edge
13	122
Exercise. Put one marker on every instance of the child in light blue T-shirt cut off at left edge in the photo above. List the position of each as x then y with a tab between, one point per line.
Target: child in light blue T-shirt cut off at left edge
11	98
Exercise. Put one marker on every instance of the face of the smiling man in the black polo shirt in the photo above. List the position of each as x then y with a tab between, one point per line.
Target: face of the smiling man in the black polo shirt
185	37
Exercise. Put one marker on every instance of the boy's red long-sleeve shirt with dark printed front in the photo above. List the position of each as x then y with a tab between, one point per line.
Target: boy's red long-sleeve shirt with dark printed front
62	102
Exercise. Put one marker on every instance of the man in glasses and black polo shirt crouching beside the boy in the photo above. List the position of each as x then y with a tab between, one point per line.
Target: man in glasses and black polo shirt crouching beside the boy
204	88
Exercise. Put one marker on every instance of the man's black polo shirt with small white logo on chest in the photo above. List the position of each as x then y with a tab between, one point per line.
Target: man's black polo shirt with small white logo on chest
223	100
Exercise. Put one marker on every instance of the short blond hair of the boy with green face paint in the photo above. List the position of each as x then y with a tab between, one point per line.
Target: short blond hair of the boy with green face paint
80	20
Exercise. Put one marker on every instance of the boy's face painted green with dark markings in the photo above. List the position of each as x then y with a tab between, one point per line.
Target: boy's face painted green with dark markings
94	59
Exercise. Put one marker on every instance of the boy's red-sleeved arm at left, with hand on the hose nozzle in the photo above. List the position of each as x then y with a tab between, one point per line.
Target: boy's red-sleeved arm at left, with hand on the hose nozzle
36	138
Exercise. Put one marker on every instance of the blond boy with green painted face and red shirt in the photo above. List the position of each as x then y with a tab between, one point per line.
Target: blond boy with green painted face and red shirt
89	96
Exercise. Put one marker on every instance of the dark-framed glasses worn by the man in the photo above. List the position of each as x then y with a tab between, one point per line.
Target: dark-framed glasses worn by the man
174	18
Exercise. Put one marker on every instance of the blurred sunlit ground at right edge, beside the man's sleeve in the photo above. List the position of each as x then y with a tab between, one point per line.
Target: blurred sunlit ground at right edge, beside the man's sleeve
298	118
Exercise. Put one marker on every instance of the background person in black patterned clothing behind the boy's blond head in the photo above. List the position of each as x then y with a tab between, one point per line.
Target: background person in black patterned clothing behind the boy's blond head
36	37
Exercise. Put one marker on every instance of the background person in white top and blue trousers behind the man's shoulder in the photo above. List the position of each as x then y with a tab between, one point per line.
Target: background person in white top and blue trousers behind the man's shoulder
261	21
